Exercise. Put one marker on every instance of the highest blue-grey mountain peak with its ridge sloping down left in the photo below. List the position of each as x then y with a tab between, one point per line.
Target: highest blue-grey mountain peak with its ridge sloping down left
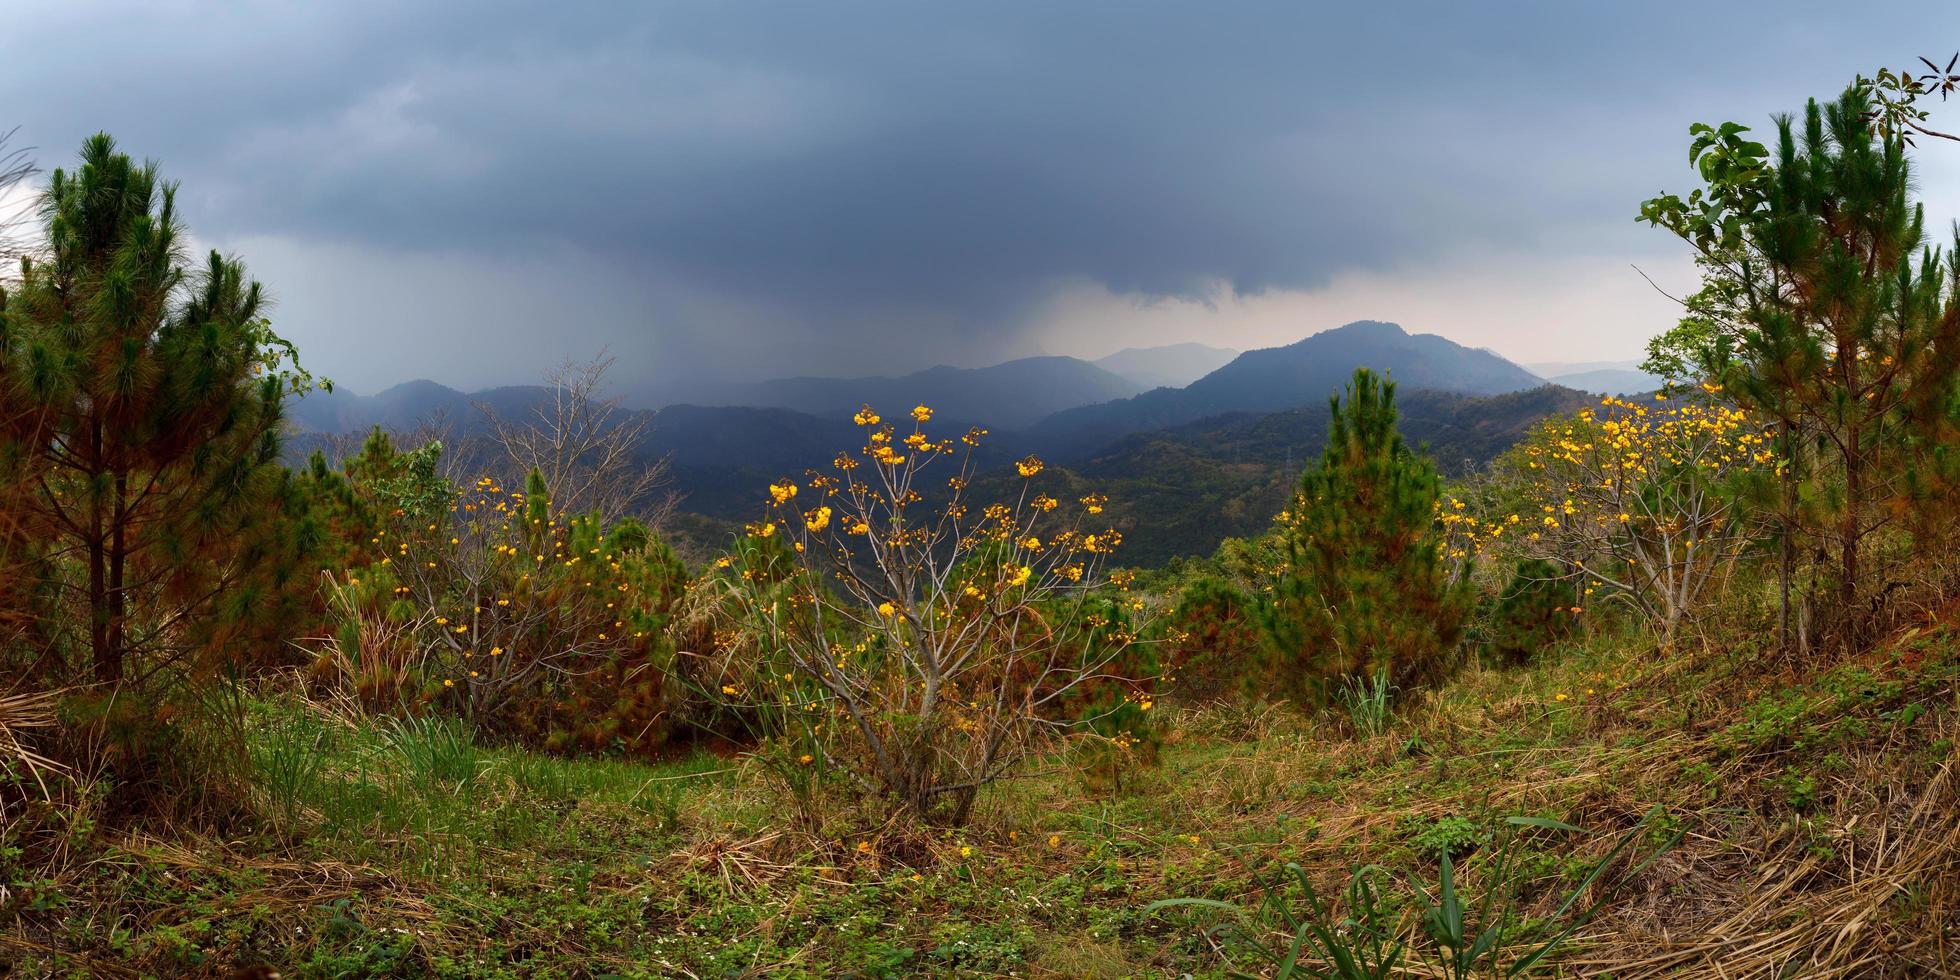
1279	379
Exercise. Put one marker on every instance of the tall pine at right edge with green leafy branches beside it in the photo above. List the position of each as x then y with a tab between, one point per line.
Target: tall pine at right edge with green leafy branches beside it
1824	313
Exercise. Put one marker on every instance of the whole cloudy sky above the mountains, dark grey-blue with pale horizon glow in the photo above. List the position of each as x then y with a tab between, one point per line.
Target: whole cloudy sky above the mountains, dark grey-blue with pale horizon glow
471	191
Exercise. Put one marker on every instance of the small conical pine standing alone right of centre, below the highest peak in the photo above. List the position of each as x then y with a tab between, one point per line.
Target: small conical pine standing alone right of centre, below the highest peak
1365	585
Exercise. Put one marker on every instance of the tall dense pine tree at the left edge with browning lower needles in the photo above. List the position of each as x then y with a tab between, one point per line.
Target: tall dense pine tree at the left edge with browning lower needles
160	395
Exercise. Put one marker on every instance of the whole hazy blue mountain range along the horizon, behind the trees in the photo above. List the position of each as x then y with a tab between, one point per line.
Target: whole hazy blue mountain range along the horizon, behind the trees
1187	464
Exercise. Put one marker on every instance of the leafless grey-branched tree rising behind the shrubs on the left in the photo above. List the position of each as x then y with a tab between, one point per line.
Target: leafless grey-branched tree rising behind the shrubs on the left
589	450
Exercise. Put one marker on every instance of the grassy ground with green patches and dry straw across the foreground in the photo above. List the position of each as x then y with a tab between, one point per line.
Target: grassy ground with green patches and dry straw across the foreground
1816	807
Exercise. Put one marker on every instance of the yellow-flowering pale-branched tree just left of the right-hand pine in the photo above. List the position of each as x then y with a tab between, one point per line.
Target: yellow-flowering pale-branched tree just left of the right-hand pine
1640	501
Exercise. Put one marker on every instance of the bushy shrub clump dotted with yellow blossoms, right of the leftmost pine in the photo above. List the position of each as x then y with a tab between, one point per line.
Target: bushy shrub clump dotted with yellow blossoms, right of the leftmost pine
501	611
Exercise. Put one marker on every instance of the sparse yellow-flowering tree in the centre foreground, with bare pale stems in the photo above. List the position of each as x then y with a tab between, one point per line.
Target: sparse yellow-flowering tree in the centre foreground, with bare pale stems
934	638
